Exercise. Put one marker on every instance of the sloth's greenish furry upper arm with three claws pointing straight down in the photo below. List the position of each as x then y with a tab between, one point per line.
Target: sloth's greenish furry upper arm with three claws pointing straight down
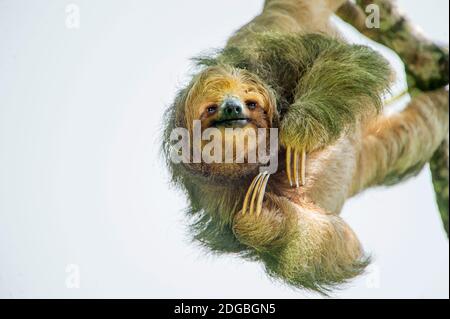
338	91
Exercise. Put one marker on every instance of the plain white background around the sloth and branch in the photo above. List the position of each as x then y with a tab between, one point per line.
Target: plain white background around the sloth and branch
81	180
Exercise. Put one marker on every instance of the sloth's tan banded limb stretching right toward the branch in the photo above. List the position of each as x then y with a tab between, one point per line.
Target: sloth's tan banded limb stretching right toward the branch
398	146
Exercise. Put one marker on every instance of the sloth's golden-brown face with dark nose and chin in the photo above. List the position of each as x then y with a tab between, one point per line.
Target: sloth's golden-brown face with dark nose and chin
227	98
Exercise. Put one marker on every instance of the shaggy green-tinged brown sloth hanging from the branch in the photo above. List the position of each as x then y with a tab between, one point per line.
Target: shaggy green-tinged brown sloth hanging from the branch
290	70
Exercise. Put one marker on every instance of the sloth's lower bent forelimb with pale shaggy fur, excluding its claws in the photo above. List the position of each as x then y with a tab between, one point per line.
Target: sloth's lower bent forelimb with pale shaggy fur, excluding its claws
302	243
